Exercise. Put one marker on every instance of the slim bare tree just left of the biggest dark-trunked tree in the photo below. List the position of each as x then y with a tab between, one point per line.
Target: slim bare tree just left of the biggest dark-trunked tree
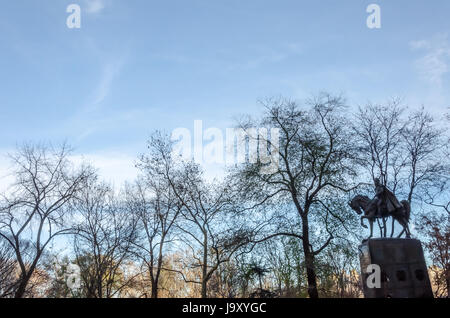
204	225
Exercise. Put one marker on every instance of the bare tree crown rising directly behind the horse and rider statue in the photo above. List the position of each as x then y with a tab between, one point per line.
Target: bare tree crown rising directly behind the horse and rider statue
406	152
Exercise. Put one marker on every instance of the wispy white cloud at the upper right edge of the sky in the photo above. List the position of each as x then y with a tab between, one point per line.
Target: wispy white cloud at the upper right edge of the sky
435	64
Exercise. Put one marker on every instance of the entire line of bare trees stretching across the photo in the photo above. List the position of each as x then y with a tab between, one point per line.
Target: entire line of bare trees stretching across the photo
277	224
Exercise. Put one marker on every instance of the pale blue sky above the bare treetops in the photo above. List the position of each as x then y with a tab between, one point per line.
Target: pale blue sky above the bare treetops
139	65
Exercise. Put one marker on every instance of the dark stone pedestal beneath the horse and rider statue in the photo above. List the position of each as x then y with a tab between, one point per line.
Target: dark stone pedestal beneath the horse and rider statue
403	269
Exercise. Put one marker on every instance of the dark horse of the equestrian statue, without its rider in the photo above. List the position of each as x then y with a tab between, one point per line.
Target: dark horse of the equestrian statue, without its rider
400	213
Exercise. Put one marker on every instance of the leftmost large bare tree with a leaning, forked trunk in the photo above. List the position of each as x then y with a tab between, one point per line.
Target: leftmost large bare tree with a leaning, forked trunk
33	211
